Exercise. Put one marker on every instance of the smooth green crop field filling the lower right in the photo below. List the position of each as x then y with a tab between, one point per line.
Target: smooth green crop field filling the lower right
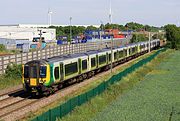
156	98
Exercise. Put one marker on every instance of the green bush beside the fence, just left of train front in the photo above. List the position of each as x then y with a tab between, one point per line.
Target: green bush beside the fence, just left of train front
14	70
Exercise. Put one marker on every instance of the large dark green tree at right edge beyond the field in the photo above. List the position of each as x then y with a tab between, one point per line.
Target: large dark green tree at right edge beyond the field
173	36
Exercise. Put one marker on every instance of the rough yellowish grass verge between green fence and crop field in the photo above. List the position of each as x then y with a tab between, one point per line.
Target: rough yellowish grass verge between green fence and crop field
96	105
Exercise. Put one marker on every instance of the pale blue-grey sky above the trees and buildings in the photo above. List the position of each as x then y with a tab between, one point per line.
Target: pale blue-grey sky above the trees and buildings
90	12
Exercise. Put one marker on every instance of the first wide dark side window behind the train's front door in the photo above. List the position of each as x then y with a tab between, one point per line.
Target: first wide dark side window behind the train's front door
71	69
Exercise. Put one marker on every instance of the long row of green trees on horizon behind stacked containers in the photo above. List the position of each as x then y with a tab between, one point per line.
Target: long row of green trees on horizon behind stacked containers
65	31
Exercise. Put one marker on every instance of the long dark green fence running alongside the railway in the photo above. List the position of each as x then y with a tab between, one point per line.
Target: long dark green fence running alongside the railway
63	109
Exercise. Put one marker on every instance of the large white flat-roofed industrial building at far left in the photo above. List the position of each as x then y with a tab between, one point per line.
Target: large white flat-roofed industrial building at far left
21	32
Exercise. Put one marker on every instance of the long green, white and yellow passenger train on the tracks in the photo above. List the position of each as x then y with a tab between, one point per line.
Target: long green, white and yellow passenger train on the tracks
46	75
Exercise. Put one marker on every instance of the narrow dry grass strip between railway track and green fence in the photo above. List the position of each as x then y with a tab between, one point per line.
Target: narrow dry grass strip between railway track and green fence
32	115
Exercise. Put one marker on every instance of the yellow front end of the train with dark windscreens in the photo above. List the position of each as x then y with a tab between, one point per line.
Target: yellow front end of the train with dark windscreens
36	76
